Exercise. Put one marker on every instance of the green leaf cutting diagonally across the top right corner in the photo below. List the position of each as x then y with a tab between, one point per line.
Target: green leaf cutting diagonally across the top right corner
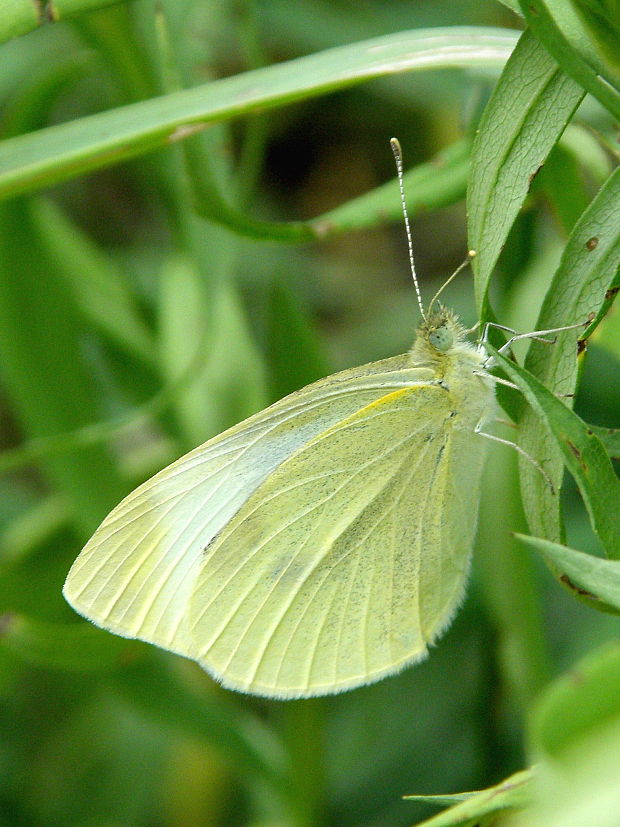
558	27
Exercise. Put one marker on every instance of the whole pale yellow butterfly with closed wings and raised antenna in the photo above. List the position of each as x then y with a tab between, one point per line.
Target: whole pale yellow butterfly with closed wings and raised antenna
319	545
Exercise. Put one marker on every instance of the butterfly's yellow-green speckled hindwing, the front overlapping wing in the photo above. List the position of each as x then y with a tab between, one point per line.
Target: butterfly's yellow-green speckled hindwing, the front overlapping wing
349	559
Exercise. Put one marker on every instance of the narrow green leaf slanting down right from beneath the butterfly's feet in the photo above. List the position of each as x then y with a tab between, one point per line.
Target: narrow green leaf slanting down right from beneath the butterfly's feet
583	453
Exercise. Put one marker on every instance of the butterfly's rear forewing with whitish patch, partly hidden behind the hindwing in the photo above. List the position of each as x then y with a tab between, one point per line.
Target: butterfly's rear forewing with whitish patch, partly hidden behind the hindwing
137	573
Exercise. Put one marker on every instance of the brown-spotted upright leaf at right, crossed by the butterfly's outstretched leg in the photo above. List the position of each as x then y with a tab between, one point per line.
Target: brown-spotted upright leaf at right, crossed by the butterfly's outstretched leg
579	289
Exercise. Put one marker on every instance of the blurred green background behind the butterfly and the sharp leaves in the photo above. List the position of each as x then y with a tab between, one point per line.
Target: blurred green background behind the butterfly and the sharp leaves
132	329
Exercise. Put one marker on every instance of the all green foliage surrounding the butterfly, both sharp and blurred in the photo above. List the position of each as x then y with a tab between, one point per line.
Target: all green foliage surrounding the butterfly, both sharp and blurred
194	216
